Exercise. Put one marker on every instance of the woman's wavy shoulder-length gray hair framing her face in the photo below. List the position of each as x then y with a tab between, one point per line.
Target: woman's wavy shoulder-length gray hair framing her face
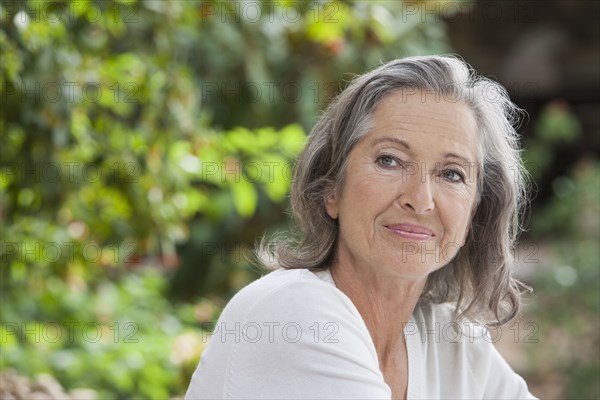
479	278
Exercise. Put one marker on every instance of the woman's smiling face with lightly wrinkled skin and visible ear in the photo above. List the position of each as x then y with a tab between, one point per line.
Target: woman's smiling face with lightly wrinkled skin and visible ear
410	187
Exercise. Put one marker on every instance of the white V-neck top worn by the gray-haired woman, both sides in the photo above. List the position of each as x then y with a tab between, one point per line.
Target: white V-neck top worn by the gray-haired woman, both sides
293	334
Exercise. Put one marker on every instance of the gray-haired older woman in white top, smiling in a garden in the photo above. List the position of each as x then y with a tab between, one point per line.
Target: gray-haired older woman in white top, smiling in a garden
407	199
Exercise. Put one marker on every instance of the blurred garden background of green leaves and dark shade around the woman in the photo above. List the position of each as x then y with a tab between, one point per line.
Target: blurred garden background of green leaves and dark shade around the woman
146	145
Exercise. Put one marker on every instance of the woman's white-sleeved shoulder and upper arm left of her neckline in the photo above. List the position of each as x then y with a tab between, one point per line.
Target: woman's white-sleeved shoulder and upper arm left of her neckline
289	334
